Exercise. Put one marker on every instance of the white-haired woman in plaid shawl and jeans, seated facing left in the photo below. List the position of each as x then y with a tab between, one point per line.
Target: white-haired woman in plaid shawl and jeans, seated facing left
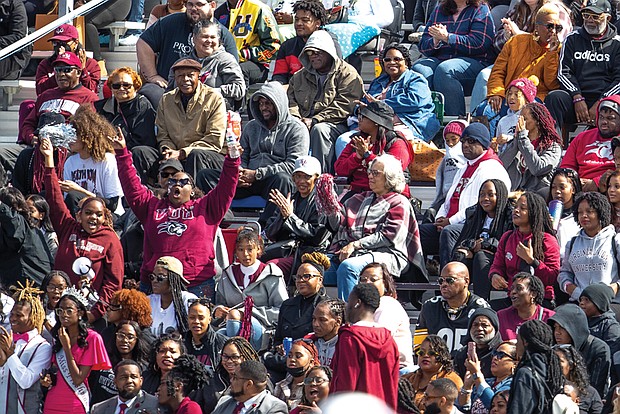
377	225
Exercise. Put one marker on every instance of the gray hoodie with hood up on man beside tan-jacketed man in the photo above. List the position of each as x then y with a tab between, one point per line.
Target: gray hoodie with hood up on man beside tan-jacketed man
273	150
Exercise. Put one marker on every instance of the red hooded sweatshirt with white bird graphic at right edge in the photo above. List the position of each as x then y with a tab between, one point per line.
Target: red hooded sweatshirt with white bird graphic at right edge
589	153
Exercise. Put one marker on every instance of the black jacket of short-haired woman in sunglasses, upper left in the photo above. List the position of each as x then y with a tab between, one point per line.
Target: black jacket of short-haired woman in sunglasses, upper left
136	119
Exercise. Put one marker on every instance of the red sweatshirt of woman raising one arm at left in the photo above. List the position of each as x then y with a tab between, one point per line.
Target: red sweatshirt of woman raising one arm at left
103	247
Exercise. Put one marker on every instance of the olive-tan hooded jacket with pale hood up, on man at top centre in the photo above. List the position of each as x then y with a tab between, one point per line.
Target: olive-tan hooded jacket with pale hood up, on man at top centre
324	97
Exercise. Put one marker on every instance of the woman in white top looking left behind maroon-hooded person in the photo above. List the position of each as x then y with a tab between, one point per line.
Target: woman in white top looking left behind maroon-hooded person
390	313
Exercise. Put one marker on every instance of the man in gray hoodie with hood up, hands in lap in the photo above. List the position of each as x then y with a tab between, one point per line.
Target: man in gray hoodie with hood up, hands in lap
271	143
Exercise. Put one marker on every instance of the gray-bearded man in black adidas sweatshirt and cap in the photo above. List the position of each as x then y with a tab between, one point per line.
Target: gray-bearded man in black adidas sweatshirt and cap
589	68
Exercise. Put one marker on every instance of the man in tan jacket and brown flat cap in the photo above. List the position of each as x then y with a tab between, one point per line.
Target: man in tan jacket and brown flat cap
191	121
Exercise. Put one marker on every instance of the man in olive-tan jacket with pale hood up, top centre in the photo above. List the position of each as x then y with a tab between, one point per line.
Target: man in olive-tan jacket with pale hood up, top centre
323	95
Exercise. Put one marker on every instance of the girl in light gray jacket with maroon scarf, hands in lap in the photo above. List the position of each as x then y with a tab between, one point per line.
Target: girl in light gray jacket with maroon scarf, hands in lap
249	285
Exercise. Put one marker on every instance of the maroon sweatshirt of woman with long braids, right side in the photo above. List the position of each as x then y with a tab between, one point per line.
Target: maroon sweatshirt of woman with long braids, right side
507	264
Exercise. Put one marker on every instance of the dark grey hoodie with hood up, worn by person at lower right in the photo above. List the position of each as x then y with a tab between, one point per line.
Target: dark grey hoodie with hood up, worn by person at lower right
595	351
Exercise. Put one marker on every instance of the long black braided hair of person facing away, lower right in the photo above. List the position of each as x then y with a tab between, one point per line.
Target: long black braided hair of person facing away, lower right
538	339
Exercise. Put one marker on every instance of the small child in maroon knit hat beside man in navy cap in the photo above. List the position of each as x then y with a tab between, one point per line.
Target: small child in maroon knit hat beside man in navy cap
452	161
